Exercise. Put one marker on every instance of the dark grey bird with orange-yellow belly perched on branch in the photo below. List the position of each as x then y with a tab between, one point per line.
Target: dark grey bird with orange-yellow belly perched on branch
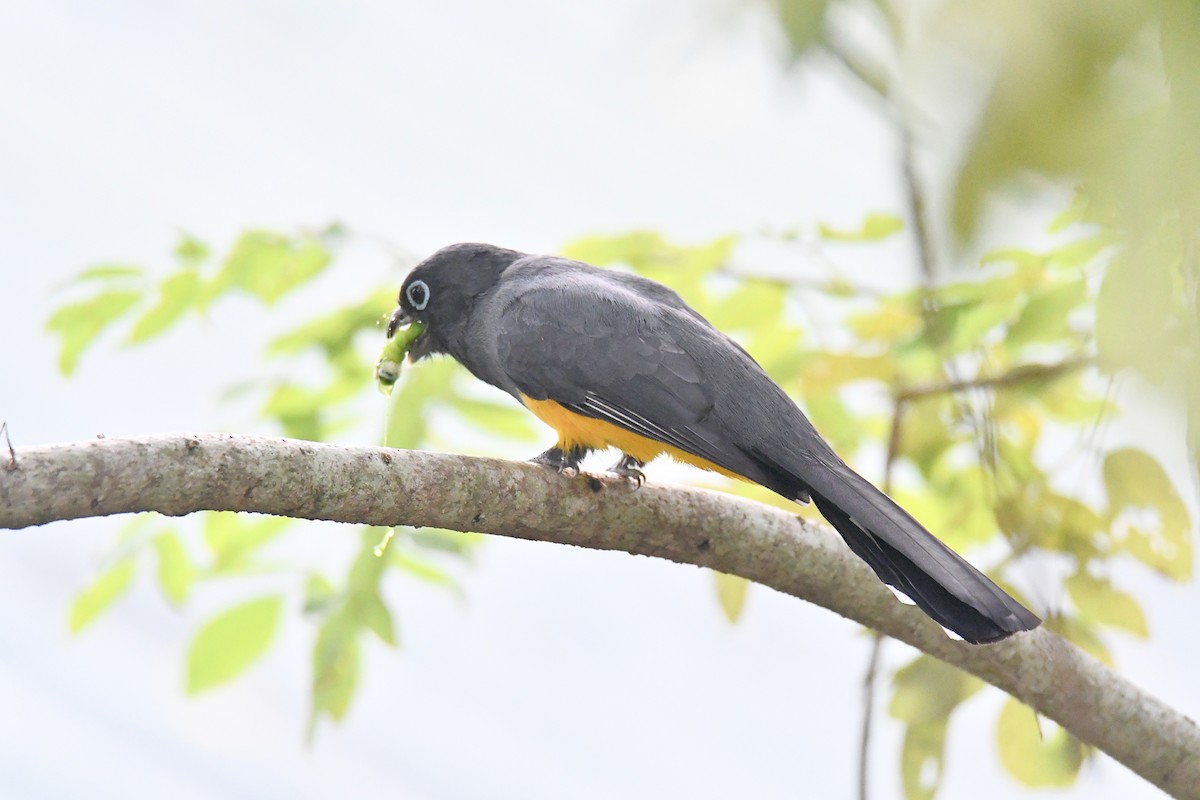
610	359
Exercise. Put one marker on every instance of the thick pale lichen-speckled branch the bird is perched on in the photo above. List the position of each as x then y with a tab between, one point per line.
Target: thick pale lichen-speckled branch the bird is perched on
181	474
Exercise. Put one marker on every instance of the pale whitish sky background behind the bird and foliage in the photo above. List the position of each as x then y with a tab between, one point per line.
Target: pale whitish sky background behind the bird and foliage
565	673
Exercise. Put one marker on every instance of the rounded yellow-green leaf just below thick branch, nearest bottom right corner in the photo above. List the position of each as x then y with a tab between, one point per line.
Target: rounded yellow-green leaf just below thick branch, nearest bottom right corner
1030	756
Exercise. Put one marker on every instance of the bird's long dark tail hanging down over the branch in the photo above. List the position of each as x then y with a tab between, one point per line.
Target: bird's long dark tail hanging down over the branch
908	557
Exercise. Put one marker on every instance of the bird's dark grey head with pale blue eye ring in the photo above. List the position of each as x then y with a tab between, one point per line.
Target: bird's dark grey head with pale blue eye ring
443	291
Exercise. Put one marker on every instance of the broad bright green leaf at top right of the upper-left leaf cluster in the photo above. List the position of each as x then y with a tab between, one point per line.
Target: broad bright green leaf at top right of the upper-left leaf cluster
268	266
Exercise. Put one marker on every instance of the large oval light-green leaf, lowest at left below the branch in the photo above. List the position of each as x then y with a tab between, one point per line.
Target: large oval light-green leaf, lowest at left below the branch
231	642
